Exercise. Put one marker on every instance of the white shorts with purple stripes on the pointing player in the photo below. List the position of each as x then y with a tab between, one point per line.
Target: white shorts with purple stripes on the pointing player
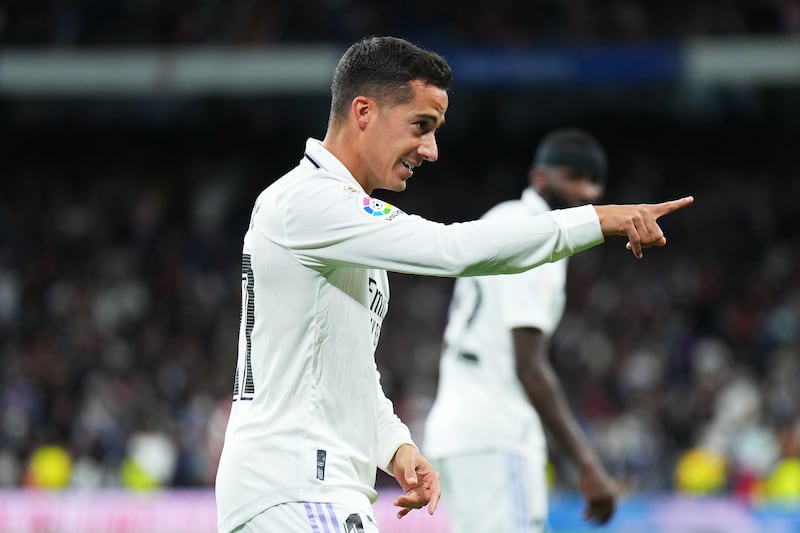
310	517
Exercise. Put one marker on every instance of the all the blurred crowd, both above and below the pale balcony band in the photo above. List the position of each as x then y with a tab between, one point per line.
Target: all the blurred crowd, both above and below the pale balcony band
121	227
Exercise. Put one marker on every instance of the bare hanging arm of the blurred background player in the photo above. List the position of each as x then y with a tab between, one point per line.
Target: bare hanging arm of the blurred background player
547	396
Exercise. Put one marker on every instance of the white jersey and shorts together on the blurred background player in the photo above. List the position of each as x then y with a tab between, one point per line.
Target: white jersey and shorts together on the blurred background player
481	408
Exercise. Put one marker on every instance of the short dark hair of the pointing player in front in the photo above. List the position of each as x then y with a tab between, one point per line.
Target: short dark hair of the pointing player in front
382	68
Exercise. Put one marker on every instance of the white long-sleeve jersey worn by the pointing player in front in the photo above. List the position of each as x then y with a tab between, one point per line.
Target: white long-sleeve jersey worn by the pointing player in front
309	420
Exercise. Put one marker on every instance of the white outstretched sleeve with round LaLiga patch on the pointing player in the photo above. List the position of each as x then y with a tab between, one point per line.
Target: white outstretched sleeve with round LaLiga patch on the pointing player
327	222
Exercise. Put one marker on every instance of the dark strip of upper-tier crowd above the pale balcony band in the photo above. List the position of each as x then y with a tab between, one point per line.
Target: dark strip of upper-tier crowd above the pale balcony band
67	23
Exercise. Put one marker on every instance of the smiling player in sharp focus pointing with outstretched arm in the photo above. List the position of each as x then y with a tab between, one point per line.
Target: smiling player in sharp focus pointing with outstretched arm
310	424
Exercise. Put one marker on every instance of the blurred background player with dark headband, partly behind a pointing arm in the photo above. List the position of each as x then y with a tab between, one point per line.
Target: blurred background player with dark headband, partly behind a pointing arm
496	385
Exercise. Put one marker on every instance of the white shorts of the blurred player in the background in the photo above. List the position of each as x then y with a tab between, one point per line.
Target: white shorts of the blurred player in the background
494	491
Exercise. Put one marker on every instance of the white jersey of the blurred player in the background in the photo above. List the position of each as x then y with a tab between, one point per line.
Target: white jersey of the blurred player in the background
480	403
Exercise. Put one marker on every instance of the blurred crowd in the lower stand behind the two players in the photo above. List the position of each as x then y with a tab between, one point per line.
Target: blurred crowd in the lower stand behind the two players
119	295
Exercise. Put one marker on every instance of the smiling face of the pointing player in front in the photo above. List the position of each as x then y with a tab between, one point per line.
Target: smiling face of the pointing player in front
397	137
